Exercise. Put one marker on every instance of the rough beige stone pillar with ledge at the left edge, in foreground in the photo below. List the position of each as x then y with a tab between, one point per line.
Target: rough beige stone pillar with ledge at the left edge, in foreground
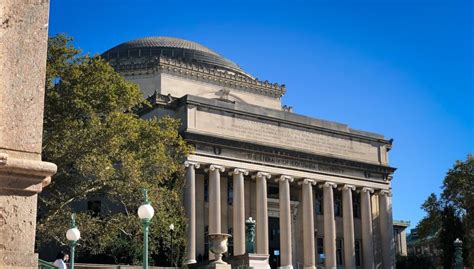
23	41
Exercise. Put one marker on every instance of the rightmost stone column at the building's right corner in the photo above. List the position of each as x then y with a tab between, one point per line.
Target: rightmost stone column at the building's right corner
386	229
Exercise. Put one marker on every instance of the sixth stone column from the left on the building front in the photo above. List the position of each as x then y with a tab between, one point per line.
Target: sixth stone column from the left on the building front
309	261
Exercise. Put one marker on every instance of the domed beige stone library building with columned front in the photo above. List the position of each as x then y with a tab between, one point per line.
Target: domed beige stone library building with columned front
318	190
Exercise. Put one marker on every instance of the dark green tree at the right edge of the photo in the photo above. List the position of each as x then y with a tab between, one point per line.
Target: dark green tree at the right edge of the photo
452	215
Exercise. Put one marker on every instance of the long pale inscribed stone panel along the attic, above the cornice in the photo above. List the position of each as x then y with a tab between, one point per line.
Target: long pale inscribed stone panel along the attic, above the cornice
285	136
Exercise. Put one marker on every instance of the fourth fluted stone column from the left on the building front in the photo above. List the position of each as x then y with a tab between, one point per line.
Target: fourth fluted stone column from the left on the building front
262	213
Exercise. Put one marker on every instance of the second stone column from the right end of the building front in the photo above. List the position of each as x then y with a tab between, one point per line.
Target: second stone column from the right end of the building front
366	221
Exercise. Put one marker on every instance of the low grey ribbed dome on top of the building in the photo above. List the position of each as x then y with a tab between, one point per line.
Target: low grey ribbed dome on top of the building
151	47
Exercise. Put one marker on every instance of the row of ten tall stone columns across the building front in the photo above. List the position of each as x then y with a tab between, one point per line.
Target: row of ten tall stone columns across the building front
261	178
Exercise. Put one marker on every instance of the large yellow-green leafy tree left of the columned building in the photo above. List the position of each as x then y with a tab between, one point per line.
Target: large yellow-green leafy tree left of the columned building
105	151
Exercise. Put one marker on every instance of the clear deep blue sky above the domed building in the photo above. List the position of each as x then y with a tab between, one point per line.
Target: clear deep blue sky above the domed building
400	68
